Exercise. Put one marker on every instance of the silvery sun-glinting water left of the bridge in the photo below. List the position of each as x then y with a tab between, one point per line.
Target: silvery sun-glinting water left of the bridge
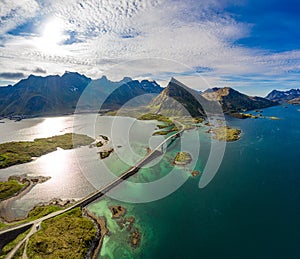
74	173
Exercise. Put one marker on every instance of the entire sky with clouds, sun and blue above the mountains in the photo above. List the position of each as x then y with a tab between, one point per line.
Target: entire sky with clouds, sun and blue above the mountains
250	45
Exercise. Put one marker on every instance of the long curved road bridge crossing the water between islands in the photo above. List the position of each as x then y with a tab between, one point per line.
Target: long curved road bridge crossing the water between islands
11	233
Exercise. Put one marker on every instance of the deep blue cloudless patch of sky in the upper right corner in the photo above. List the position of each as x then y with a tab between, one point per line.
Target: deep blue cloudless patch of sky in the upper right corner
275	24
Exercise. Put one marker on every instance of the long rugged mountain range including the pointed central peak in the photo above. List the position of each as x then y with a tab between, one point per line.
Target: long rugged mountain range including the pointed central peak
56	95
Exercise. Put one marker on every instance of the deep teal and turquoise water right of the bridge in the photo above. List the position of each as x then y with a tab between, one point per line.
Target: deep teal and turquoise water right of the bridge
250	209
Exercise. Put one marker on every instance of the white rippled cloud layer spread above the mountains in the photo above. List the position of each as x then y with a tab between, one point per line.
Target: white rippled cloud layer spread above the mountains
99	34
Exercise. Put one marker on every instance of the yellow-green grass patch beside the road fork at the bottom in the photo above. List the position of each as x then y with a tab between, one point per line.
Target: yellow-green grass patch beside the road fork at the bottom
68	235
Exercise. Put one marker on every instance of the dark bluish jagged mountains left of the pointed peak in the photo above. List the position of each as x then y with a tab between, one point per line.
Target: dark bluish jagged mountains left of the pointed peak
62	94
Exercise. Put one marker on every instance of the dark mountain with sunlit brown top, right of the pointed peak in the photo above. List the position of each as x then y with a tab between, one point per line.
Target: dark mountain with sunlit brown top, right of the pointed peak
234	101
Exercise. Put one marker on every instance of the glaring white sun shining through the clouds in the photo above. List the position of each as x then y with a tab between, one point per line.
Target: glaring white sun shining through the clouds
52	36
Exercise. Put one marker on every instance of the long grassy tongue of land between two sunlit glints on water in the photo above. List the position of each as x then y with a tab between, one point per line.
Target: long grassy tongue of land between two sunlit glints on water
13	153
